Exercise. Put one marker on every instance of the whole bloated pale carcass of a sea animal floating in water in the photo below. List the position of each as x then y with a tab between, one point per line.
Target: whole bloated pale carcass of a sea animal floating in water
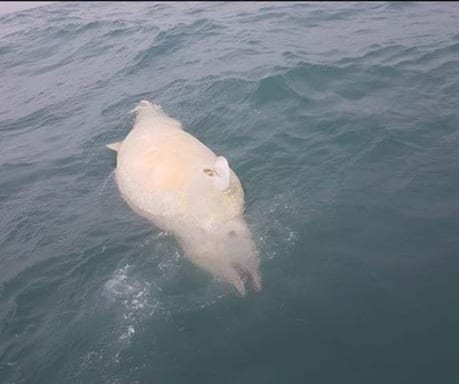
169	177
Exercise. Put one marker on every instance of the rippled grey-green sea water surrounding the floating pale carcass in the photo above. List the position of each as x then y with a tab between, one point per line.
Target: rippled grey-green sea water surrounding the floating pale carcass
342	122
